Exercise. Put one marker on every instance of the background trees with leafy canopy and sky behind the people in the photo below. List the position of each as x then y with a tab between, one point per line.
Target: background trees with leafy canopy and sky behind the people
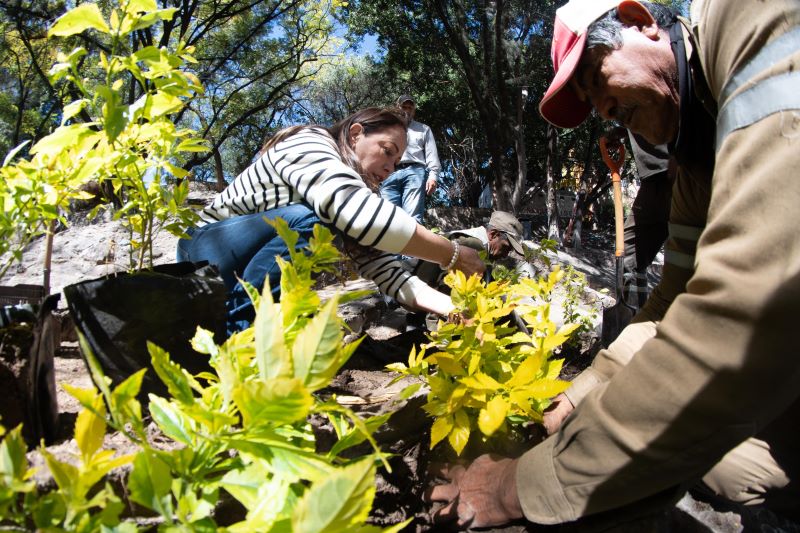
476	67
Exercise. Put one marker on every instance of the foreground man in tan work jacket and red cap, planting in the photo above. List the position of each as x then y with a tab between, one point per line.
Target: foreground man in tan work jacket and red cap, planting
702	395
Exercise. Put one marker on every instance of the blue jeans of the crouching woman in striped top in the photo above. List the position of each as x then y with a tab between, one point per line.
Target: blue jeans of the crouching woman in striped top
246	246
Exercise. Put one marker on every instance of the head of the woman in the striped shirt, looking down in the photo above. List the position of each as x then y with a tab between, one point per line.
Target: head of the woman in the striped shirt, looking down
372	141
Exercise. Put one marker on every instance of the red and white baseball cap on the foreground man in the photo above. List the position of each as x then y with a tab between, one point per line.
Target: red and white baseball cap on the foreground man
560	105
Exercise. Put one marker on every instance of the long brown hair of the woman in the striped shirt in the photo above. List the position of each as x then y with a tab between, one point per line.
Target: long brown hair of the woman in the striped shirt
372	119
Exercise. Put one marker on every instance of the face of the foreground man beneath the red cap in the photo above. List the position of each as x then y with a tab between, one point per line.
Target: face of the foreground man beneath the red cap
636	85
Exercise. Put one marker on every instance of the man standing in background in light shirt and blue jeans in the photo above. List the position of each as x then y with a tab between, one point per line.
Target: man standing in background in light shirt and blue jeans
417	174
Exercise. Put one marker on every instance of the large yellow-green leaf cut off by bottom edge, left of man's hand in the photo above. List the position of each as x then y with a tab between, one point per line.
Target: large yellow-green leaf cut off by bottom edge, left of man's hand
339	502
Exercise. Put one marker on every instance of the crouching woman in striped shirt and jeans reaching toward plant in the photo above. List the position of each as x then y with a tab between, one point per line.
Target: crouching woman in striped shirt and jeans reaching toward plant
308	175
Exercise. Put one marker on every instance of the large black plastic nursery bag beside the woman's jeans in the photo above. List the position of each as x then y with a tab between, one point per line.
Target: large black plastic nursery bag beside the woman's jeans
119	313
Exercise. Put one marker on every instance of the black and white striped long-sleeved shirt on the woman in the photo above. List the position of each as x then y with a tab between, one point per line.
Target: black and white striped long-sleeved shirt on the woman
308	168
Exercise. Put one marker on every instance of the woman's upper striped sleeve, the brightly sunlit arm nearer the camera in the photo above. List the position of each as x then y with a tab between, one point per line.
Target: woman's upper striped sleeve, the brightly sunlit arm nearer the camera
309	163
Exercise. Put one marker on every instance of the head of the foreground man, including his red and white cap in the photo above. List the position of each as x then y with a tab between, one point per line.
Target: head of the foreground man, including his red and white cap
614	56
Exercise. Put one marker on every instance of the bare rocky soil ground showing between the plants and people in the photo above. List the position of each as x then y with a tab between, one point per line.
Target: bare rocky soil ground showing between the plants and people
85	250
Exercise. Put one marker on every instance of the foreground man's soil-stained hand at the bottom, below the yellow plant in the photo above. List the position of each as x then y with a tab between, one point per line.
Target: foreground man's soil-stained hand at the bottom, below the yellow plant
481	495
